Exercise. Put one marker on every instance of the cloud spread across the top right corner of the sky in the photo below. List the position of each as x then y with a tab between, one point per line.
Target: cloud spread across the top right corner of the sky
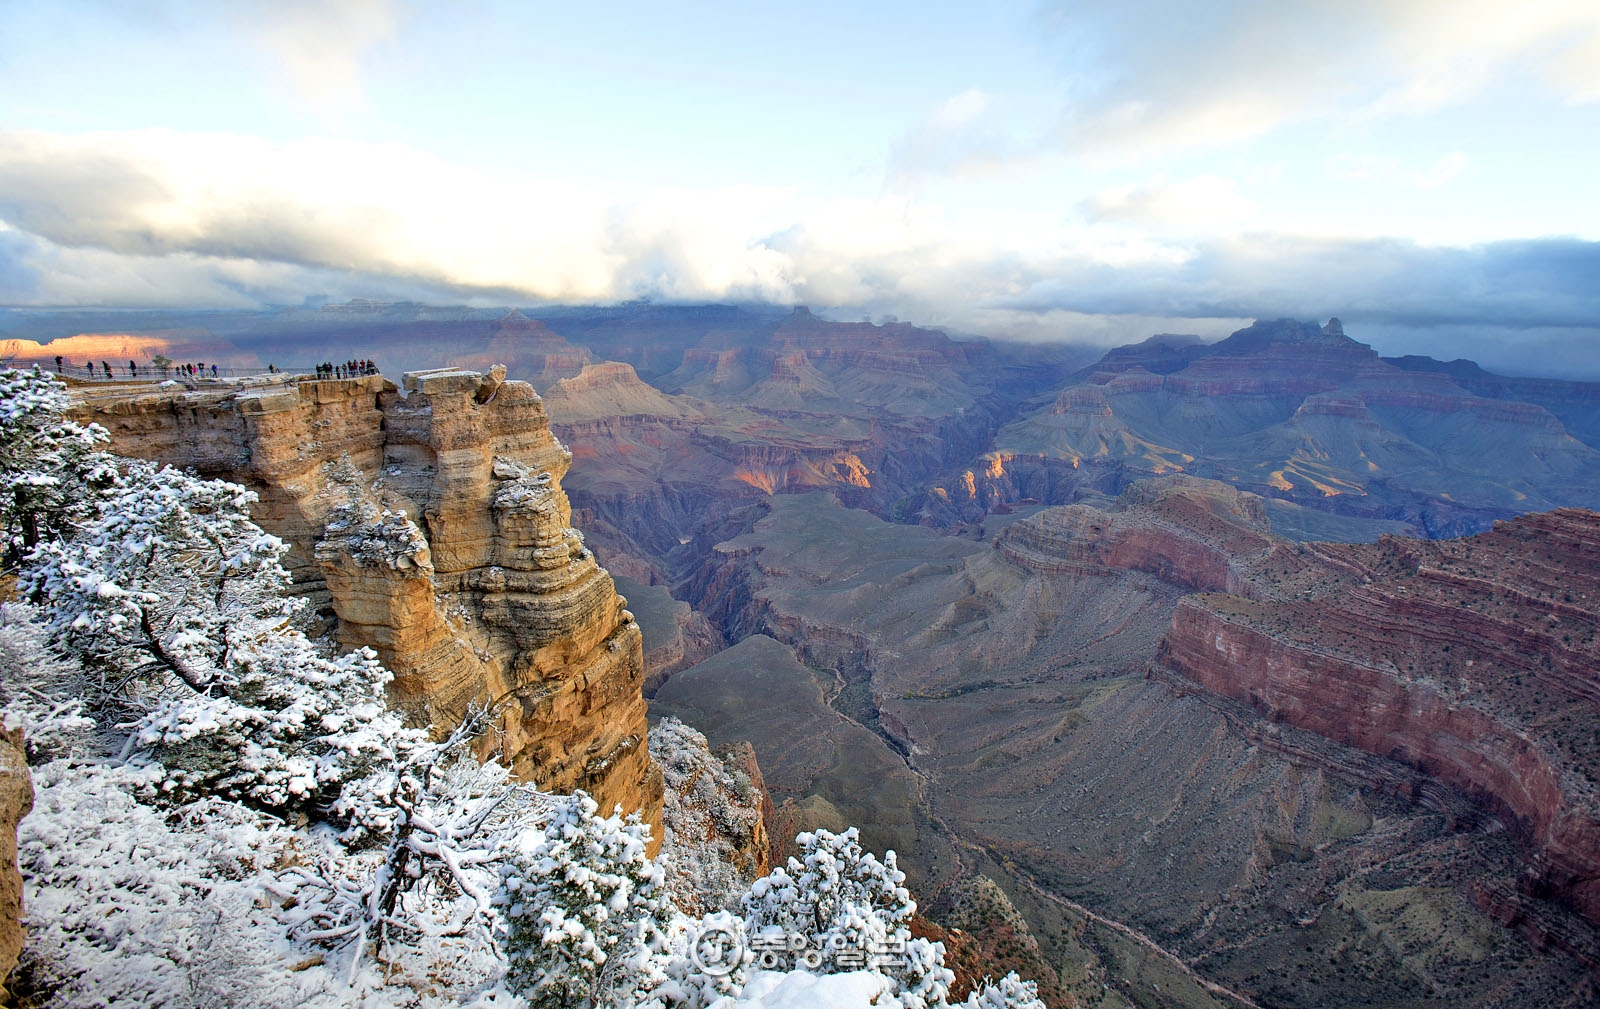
1158	78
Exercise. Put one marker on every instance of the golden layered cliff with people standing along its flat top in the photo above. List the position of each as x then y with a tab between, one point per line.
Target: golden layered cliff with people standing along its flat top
434	528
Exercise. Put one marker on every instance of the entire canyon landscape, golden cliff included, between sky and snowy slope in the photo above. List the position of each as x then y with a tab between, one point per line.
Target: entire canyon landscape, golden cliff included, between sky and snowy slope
1258	672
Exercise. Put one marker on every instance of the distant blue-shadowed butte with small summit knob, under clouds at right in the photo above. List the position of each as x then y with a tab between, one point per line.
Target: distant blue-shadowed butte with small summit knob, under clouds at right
1300	413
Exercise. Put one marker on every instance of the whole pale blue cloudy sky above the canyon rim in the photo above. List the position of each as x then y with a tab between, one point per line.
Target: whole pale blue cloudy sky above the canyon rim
1426	170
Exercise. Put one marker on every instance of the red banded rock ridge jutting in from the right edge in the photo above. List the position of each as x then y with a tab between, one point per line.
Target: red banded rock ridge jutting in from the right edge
1474	661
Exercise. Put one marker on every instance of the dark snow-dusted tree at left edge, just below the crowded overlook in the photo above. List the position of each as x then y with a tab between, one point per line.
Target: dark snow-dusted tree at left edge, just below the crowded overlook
54	468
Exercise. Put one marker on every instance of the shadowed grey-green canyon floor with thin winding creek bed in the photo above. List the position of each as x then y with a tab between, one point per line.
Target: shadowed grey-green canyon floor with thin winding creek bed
1022	708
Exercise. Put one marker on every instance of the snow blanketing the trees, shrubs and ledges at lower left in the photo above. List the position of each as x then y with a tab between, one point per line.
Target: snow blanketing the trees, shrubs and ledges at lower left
226	810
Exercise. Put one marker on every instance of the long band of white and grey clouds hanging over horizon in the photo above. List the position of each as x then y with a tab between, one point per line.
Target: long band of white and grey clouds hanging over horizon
217	220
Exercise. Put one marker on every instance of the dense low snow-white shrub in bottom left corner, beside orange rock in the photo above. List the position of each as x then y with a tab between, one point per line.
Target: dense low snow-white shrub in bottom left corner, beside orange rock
129	909
